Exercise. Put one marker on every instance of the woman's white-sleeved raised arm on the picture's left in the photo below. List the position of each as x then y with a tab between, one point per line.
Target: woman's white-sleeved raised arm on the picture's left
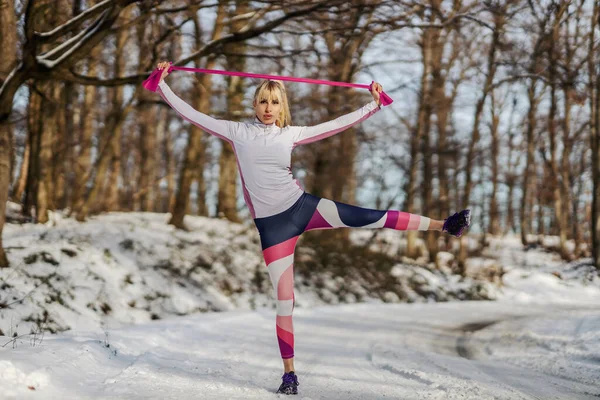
220	128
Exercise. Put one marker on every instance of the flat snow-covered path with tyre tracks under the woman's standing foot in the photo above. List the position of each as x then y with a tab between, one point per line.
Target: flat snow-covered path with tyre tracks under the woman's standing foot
362	351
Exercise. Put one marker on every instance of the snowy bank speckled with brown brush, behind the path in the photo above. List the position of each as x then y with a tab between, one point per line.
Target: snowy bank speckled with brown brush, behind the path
123	268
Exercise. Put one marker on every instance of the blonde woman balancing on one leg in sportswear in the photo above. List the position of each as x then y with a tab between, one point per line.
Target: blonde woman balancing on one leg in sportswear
281	210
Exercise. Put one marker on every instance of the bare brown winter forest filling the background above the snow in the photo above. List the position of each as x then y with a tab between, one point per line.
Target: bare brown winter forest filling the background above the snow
497	109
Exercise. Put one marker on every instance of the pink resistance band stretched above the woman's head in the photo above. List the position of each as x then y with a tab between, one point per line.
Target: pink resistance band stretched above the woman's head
152	82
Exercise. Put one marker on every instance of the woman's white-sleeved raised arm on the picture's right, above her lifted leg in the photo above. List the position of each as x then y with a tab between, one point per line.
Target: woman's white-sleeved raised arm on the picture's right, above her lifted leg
309	134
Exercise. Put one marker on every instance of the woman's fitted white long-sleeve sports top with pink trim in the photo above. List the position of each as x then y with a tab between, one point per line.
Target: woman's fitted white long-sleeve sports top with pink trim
264	152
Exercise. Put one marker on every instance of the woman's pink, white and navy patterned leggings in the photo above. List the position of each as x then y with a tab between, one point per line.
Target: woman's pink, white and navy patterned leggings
279	234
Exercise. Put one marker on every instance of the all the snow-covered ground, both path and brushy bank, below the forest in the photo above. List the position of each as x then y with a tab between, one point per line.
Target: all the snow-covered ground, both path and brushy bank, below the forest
108	278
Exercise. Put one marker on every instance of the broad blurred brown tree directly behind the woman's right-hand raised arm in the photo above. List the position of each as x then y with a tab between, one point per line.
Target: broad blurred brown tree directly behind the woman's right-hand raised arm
348	31
